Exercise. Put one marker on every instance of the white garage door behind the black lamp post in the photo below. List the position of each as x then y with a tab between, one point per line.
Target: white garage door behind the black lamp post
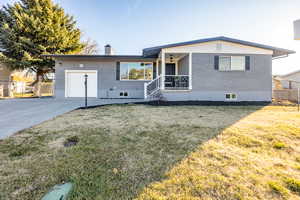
74	83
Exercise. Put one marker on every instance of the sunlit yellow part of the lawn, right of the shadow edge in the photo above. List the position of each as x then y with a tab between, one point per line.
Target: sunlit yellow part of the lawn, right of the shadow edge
241	163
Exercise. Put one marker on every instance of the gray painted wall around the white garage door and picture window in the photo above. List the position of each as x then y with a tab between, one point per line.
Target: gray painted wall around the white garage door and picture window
108	86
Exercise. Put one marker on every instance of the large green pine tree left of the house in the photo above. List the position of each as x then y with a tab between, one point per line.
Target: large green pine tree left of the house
31	28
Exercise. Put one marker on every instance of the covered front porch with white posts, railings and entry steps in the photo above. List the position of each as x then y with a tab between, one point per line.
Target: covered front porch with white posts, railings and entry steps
173	72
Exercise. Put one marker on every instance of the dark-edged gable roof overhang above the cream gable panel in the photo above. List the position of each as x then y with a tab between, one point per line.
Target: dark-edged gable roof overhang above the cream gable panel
154	51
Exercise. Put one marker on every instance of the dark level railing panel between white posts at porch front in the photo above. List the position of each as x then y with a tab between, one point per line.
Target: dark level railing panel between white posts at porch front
176	82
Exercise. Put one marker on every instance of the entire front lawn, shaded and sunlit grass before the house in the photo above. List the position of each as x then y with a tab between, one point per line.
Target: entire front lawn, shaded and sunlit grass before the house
150	152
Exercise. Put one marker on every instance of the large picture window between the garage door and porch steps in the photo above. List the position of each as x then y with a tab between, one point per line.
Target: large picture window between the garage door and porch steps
136	71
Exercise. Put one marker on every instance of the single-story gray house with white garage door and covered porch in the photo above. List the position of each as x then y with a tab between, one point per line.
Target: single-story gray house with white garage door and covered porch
213	69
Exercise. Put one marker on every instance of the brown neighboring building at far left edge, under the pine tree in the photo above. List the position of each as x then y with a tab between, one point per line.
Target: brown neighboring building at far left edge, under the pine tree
5	78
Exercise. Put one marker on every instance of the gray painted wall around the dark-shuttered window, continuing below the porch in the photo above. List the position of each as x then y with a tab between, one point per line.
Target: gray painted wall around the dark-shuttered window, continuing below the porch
211	85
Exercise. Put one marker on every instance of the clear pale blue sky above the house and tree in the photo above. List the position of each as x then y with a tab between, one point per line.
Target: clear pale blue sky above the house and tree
131	25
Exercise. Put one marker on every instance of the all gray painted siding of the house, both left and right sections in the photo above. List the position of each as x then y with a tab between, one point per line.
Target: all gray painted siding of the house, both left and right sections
208	84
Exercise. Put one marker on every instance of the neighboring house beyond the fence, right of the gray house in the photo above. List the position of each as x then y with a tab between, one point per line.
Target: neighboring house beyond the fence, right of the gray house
287	81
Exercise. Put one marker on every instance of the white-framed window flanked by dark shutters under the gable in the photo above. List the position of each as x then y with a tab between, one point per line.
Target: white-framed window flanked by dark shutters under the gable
232	63
